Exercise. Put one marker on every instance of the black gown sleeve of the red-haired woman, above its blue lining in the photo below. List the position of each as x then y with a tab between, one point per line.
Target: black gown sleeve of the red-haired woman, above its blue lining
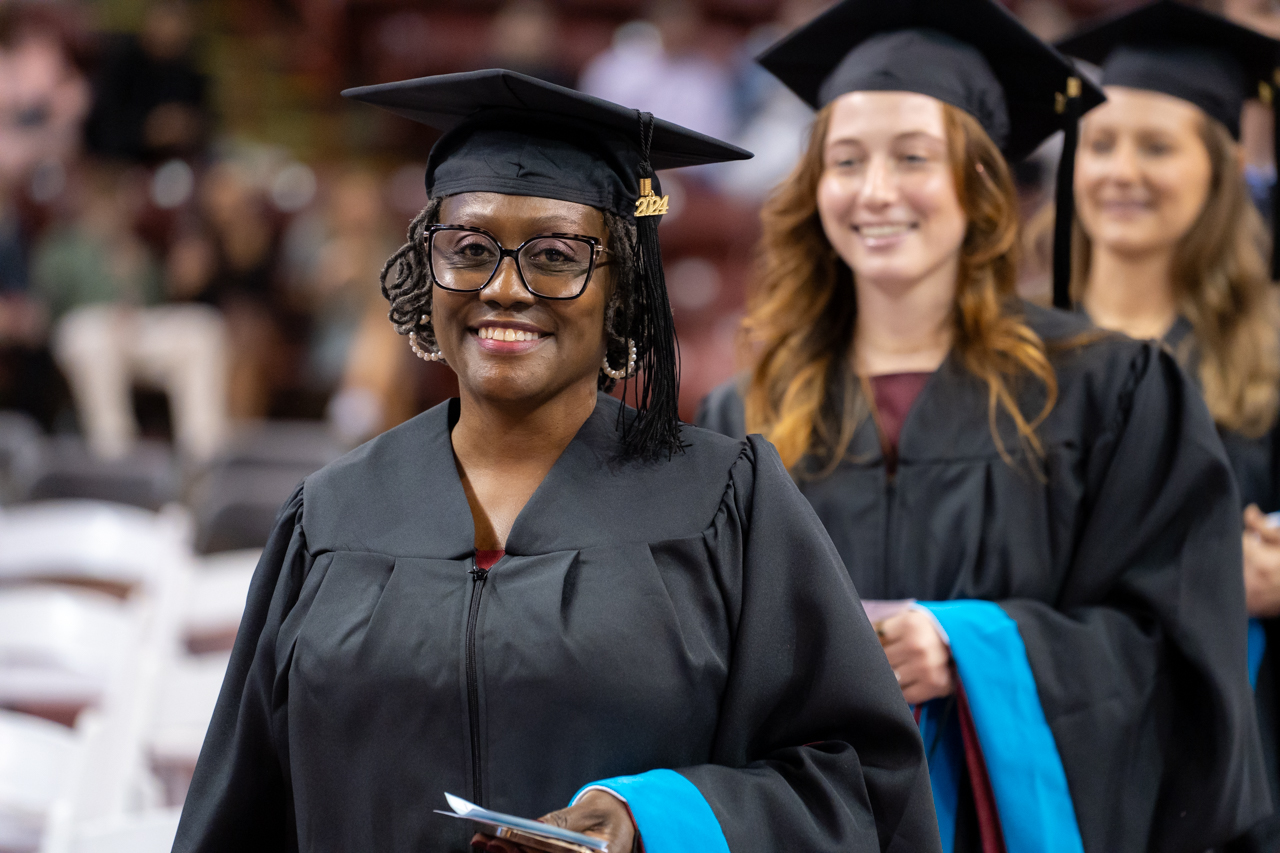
1141	665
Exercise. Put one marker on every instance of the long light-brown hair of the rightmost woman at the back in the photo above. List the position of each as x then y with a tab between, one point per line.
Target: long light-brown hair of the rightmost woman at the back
1223	288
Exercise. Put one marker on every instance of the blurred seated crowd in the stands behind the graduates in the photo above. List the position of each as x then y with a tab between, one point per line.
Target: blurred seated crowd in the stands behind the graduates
193	220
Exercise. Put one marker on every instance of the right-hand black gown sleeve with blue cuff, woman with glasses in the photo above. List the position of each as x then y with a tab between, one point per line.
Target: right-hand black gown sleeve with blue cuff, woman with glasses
815	747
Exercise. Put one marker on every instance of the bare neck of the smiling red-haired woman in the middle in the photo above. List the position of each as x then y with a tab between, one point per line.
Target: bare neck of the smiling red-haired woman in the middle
906	330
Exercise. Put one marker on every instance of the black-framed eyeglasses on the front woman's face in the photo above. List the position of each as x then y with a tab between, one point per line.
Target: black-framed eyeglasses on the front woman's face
551	267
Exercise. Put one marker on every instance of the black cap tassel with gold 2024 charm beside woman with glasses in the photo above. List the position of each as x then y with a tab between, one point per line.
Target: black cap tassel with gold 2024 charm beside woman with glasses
657	399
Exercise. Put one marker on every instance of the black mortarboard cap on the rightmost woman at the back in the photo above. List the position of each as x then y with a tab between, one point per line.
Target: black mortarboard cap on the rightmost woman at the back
1190	54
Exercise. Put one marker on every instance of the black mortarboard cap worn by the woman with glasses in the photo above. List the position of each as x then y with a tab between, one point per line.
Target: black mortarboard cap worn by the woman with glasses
511	134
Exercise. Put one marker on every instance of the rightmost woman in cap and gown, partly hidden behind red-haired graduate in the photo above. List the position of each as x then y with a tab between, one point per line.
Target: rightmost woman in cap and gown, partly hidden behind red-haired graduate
1169	247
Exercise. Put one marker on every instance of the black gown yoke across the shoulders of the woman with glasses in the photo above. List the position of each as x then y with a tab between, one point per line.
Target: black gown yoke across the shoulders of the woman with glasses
400	495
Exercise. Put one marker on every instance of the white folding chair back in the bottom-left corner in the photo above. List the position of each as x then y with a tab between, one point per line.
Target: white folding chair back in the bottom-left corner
36	758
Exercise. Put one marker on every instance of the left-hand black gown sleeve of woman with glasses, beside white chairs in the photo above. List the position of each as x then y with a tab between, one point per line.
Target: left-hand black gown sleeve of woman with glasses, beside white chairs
240	796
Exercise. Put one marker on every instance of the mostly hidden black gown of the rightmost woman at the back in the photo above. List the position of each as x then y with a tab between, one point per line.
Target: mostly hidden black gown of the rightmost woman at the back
1256	464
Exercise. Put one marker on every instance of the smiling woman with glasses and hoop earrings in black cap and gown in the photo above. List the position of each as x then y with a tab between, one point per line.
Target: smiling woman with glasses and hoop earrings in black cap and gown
534	590
